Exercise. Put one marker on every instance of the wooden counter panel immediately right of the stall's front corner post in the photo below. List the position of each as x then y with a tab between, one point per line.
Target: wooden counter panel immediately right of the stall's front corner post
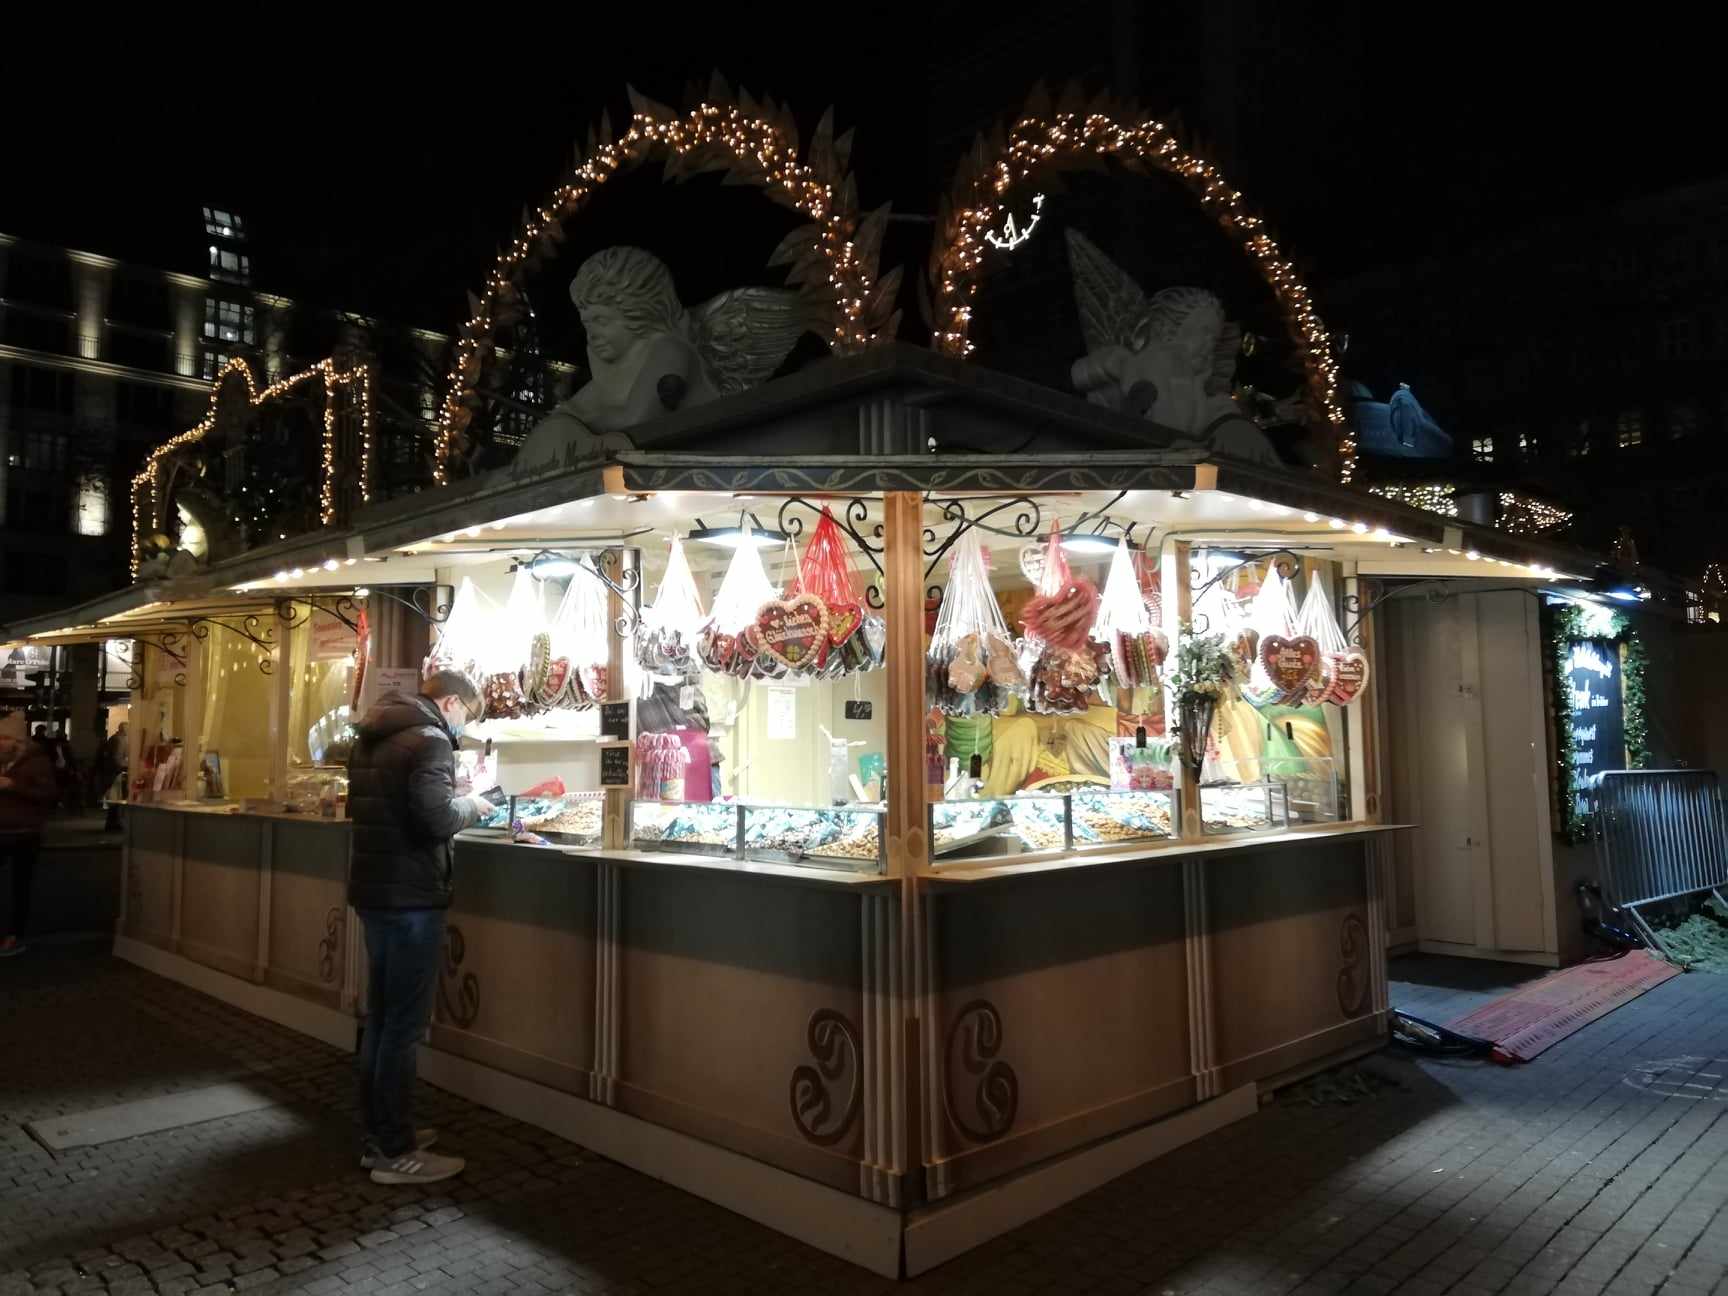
1058	1008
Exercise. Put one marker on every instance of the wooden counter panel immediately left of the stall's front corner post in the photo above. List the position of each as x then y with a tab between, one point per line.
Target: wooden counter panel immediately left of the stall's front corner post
720	981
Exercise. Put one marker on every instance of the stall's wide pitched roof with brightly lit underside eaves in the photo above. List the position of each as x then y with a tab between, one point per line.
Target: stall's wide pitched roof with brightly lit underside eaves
894	421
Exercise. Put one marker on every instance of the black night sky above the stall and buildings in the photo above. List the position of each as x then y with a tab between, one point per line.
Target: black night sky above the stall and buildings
381	177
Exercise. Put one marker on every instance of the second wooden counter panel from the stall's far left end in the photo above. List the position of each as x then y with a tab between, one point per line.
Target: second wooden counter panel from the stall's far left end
219	893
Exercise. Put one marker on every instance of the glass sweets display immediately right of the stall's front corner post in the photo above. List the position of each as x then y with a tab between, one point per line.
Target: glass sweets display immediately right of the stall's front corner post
1083	820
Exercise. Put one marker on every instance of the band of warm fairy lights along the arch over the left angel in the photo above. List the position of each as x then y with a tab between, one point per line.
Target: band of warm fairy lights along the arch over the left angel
742	134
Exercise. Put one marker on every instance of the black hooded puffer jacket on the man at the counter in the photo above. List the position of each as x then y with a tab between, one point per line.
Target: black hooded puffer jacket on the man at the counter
402	796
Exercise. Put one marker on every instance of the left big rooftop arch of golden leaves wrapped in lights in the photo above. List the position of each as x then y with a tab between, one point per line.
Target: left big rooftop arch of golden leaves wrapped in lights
756	144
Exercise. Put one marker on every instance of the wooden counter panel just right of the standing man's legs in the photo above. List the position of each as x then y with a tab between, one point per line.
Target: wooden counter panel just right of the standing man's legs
521	963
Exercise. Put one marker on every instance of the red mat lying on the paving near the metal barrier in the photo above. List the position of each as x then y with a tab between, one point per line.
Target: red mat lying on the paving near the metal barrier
1544	1013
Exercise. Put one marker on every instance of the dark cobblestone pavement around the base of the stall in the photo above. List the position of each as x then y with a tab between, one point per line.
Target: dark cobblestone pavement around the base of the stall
1577	1174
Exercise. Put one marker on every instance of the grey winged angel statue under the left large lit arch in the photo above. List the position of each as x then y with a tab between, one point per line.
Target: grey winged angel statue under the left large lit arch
649	357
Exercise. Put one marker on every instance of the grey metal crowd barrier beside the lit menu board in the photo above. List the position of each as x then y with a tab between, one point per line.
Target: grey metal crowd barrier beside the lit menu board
1661	834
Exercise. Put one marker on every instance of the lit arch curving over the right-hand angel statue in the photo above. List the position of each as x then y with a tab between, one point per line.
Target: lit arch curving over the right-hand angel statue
1046	141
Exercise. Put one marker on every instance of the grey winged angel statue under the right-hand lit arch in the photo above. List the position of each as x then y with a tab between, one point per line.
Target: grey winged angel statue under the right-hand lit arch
1167	359
